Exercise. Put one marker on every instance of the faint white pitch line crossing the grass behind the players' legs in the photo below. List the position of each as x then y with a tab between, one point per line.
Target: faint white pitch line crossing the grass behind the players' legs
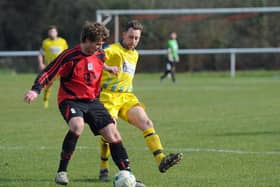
205	150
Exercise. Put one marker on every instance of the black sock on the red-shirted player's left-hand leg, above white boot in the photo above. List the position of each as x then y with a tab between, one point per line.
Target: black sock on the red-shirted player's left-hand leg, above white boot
68	148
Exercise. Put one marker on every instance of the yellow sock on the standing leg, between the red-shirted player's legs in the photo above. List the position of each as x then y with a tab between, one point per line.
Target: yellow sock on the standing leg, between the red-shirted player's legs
104	154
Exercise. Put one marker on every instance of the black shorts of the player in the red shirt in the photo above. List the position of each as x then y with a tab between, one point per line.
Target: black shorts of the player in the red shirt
93	112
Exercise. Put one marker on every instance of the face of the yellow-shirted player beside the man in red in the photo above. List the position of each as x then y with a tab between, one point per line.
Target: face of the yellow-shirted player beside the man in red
131	38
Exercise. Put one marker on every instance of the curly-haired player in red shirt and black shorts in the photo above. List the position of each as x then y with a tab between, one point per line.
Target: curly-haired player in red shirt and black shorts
80	69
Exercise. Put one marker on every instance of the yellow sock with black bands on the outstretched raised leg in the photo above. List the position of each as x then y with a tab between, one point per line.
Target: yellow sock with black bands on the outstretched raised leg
154	144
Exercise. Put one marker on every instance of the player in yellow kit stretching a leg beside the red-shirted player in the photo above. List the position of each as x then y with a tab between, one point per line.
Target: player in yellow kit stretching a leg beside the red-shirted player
118	98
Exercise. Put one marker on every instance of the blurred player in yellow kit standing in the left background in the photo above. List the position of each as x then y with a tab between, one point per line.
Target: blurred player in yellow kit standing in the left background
50	49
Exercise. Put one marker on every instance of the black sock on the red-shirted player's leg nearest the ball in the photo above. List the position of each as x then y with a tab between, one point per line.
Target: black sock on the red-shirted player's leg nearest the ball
119	156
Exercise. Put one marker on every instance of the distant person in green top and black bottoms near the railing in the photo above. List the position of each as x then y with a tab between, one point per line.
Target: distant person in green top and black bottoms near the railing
173	57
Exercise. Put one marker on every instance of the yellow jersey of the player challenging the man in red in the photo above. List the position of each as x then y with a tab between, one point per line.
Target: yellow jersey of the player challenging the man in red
126	60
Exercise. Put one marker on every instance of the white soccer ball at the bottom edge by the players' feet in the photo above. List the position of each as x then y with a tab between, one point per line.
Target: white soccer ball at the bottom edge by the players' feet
124	178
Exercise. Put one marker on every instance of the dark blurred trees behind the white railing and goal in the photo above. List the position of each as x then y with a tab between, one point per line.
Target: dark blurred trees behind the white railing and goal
24	26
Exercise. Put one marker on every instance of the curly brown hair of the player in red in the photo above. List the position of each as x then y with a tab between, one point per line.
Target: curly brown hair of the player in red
94	31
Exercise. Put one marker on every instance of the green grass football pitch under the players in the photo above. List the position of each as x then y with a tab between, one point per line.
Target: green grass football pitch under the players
228	130
